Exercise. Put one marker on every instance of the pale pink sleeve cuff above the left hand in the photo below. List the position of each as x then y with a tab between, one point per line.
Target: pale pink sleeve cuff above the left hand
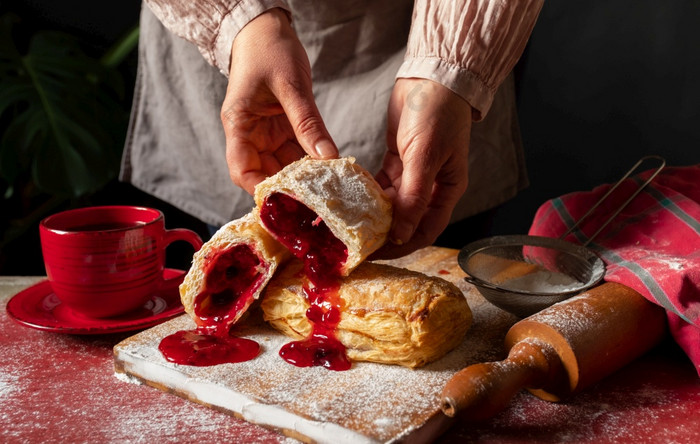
211	24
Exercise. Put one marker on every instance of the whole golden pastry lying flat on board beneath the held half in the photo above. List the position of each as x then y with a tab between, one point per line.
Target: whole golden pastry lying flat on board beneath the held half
389	315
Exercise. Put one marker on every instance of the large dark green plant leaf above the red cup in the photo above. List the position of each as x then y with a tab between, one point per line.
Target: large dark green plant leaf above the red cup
63	113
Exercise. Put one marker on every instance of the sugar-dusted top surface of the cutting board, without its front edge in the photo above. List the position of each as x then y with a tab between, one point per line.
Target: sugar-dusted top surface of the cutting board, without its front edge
379	401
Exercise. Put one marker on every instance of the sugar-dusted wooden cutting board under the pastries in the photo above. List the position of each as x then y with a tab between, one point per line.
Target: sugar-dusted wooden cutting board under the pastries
368	403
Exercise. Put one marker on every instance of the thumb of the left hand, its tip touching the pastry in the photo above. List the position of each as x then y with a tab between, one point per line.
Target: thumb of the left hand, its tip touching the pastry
306	121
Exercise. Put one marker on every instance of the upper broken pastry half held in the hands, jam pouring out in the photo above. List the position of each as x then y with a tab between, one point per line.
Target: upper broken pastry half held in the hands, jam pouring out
331	214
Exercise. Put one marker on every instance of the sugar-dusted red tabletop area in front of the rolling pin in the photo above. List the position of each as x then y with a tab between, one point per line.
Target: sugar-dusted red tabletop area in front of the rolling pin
611	413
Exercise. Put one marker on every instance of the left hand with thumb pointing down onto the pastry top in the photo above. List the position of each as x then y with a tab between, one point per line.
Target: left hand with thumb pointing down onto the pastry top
269	115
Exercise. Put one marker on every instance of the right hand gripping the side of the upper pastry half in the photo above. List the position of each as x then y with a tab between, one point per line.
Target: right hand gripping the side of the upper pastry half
425	169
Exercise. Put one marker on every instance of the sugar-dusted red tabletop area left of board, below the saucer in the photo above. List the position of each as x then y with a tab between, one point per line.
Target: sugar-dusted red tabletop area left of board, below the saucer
61	388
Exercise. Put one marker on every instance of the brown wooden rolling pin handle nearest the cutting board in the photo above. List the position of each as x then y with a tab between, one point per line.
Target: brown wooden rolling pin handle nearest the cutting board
482	390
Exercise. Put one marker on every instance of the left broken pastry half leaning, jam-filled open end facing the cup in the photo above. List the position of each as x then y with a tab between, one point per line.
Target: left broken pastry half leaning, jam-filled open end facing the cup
229	272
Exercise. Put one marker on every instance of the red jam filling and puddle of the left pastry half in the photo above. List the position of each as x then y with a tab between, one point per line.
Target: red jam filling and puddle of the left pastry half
233	276
